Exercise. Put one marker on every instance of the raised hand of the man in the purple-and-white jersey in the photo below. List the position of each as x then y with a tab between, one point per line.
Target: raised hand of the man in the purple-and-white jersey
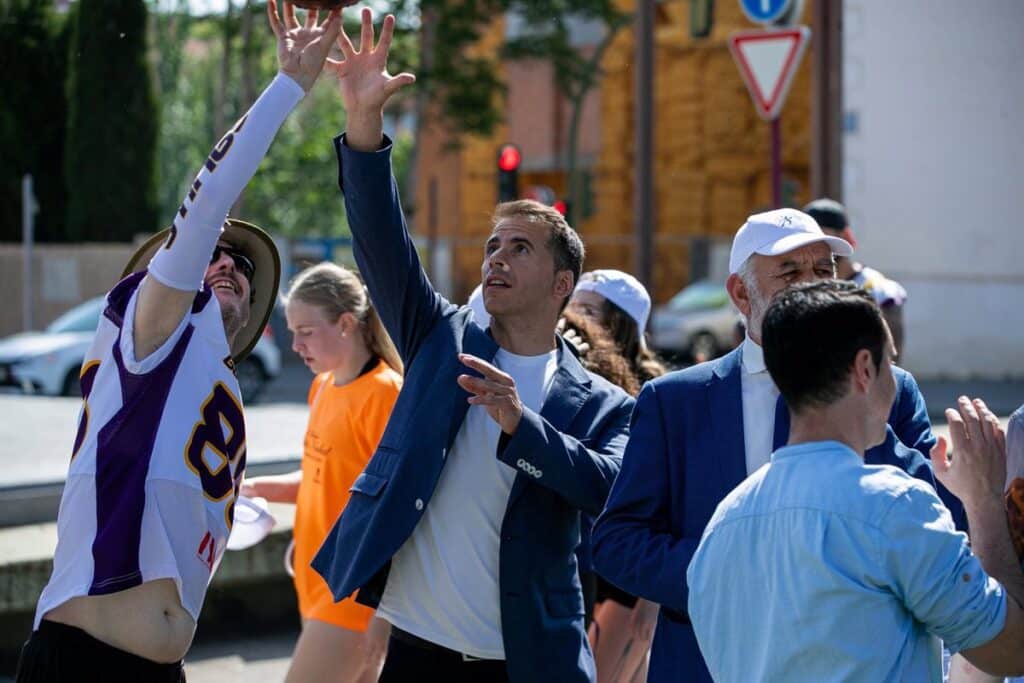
303	49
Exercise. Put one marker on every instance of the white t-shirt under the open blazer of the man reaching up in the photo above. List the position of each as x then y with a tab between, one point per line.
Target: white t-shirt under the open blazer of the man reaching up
444	585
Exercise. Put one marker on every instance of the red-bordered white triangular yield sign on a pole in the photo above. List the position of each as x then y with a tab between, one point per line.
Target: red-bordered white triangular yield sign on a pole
769	61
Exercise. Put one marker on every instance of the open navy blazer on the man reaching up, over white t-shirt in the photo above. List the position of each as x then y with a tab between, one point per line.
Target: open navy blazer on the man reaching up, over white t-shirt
567	457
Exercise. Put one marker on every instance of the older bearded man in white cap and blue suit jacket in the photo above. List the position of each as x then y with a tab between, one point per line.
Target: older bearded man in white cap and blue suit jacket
699	433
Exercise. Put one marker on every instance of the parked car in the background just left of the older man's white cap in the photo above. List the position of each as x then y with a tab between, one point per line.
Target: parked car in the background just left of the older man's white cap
699	322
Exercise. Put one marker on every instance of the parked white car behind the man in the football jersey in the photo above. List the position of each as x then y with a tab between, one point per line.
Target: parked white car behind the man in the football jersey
50	362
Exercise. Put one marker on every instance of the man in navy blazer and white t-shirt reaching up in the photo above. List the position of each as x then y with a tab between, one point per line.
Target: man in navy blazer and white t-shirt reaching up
463	527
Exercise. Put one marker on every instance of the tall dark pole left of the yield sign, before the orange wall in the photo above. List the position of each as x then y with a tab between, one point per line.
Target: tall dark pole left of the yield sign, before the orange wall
644	198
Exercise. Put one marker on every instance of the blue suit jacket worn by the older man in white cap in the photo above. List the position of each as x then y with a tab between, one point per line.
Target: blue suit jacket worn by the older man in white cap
686	454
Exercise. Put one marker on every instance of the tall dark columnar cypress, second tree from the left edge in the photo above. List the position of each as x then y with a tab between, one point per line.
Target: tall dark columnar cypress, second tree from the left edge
112	124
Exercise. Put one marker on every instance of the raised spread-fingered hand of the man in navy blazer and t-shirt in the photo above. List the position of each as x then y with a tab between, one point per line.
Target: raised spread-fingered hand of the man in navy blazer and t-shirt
363	76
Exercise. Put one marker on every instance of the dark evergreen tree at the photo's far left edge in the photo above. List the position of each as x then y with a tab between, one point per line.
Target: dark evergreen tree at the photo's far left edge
33	59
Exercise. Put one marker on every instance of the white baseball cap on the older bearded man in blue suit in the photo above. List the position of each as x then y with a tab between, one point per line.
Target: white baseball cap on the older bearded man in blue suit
780	232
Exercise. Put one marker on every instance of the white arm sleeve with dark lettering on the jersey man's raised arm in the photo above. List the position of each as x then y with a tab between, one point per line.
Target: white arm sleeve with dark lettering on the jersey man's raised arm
183	262
